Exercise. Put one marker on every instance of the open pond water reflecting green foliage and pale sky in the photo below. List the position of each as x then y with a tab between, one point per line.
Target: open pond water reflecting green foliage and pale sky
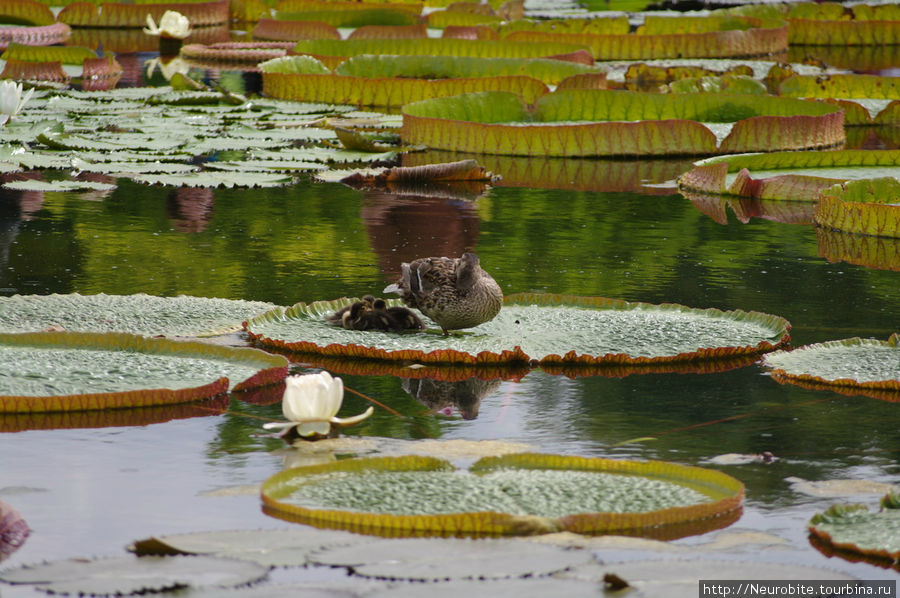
91	486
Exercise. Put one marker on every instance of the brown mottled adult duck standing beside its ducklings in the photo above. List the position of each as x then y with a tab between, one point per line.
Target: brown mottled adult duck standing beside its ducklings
455	293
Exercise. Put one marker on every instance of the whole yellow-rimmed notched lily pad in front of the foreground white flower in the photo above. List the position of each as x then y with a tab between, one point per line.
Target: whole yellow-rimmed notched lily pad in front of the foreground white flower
507	495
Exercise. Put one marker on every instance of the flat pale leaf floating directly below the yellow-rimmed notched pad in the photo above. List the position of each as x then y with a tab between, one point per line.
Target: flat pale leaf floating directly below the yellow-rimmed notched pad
419	559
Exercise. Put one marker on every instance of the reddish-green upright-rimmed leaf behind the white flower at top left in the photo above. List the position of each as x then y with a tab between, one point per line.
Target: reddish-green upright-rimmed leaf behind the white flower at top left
120	15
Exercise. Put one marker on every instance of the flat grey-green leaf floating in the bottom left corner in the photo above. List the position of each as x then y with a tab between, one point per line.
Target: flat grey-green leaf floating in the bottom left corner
132	575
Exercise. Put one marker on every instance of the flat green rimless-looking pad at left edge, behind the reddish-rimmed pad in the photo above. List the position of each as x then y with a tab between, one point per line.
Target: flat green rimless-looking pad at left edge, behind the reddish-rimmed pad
137	314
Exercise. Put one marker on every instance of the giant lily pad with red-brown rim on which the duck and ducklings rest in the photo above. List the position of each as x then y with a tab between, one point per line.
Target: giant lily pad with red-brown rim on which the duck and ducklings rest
544	329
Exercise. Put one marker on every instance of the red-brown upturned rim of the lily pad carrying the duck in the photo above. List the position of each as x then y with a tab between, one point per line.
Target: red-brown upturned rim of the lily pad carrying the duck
516	356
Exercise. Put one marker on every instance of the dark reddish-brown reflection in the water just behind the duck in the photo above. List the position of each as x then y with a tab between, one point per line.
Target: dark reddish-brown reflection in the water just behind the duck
402	228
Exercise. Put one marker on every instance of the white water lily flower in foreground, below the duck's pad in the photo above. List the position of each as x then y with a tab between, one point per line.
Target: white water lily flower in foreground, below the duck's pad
311	403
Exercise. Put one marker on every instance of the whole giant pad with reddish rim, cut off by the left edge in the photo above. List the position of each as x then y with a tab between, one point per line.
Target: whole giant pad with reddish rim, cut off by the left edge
53	371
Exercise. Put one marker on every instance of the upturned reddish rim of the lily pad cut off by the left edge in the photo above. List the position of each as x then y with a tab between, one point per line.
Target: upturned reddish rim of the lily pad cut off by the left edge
273	368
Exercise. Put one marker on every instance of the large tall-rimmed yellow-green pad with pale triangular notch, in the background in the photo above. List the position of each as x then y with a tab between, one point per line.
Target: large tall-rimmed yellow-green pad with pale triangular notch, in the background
609	123
